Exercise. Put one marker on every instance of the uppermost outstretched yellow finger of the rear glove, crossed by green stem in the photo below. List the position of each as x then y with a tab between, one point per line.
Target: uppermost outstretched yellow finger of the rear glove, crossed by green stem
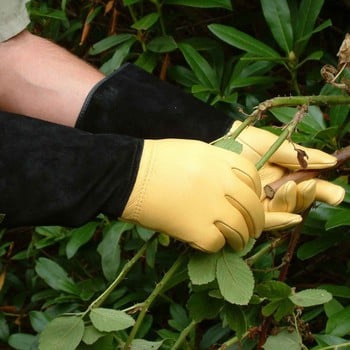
258	141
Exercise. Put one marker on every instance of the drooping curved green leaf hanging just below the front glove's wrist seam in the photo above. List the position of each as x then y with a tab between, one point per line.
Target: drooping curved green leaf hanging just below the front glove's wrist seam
109	248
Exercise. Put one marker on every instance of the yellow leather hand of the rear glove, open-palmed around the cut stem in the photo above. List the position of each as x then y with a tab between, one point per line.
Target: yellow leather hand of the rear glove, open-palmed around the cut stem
290	197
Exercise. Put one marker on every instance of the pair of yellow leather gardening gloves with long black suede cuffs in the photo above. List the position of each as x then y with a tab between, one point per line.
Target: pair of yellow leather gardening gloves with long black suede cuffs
140	152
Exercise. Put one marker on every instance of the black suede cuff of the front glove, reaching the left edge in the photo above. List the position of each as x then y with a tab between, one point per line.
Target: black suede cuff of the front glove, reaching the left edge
56	175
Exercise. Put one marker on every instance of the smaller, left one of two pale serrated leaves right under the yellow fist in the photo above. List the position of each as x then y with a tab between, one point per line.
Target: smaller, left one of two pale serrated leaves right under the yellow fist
202	267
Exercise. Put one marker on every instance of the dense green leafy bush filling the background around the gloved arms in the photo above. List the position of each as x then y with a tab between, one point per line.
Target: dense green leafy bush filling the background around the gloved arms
232	55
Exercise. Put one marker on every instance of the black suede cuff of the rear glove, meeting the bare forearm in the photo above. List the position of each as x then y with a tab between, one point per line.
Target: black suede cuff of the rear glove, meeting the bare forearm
136	103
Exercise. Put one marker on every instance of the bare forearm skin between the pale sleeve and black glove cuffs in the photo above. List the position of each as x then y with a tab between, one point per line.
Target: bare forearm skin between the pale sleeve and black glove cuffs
40	79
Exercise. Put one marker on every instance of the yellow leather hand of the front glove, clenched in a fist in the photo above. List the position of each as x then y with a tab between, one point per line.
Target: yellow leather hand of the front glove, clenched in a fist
197	193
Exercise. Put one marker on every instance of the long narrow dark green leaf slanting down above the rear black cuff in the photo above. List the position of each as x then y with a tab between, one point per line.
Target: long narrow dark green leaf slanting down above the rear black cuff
200	66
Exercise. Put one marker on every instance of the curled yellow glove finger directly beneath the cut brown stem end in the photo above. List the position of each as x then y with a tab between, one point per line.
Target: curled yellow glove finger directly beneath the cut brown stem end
284	200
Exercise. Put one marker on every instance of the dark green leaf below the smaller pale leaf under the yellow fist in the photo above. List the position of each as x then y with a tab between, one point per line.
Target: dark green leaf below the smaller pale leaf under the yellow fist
202	307
